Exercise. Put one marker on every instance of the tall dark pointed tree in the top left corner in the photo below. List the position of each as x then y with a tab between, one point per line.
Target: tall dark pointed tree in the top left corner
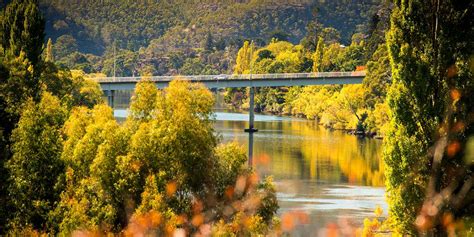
21	41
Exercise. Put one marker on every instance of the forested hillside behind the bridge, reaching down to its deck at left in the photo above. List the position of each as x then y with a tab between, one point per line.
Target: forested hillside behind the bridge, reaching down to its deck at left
185	37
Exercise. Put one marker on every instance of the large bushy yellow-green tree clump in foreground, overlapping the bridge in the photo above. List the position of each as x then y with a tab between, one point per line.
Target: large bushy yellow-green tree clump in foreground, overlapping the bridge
118	174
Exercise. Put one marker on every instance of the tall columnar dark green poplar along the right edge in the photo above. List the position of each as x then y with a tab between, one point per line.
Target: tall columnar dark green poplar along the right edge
429	58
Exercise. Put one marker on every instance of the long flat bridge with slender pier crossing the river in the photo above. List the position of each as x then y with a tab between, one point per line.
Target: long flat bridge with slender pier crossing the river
111	84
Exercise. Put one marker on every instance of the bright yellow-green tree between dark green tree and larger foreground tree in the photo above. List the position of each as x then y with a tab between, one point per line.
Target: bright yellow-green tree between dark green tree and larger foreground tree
93	142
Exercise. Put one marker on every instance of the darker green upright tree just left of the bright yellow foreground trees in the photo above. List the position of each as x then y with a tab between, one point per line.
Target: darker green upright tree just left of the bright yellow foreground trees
35	167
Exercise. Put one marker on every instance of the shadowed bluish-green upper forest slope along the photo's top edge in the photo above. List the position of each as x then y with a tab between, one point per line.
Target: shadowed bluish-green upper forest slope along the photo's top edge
136	23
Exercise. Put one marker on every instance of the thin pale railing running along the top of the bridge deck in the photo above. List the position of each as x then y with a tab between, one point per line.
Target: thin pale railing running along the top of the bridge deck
312	75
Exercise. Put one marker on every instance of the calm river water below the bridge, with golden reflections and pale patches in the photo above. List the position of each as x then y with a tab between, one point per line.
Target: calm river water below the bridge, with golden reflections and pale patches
334	179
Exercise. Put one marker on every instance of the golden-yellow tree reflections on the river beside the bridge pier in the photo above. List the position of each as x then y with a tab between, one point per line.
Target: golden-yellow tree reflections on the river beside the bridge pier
301	149
